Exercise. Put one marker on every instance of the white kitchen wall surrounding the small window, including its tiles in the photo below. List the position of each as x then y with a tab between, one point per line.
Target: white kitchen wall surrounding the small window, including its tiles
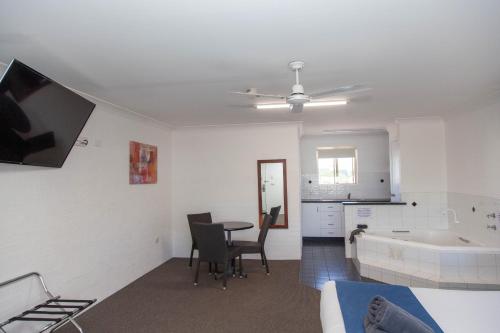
373	165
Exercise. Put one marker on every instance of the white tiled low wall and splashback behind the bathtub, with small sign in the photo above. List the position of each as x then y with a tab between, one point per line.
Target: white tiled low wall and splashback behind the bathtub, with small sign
429	212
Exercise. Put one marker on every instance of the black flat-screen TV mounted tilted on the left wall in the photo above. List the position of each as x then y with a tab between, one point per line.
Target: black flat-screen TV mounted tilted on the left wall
40	120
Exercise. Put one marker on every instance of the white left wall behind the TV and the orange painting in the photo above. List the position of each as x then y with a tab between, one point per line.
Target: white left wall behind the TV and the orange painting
83	226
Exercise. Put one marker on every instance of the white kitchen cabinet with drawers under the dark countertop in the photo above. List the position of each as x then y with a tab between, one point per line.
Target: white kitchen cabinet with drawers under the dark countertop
322	220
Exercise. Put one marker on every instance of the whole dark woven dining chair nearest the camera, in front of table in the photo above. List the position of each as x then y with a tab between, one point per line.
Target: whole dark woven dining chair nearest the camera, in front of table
212	247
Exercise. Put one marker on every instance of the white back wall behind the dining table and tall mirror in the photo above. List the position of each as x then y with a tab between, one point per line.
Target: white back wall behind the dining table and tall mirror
215	169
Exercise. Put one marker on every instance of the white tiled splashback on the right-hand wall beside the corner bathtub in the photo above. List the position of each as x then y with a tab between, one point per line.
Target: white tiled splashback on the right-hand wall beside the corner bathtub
472	214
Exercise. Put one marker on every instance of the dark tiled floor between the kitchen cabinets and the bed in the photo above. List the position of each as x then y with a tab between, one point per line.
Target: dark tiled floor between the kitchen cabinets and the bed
324	259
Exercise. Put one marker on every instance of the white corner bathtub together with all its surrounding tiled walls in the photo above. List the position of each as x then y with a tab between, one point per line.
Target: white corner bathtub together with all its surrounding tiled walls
424	262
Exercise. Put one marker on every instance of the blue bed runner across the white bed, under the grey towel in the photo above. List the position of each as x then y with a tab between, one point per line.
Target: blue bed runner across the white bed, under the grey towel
354	298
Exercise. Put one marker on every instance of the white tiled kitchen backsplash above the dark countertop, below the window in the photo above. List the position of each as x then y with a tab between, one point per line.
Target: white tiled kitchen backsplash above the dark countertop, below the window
369	185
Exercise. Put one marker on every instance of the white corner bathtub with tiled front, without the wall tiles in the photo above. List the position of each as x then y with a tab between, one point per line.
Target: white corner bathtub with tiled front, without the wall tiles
427	258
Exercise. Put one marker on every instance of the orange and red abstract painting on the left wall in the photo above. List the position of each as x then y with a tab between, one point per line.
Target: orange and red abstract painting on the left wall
143	163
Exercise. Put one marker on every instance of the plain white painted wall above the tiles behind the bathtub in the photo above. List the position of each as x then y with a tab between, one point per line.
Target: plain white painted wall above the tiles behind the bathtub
423	155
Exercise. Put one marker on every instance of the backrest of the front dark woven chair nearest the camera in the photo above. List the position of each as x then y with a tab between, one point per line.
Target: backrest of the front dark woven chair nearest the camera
211	241
